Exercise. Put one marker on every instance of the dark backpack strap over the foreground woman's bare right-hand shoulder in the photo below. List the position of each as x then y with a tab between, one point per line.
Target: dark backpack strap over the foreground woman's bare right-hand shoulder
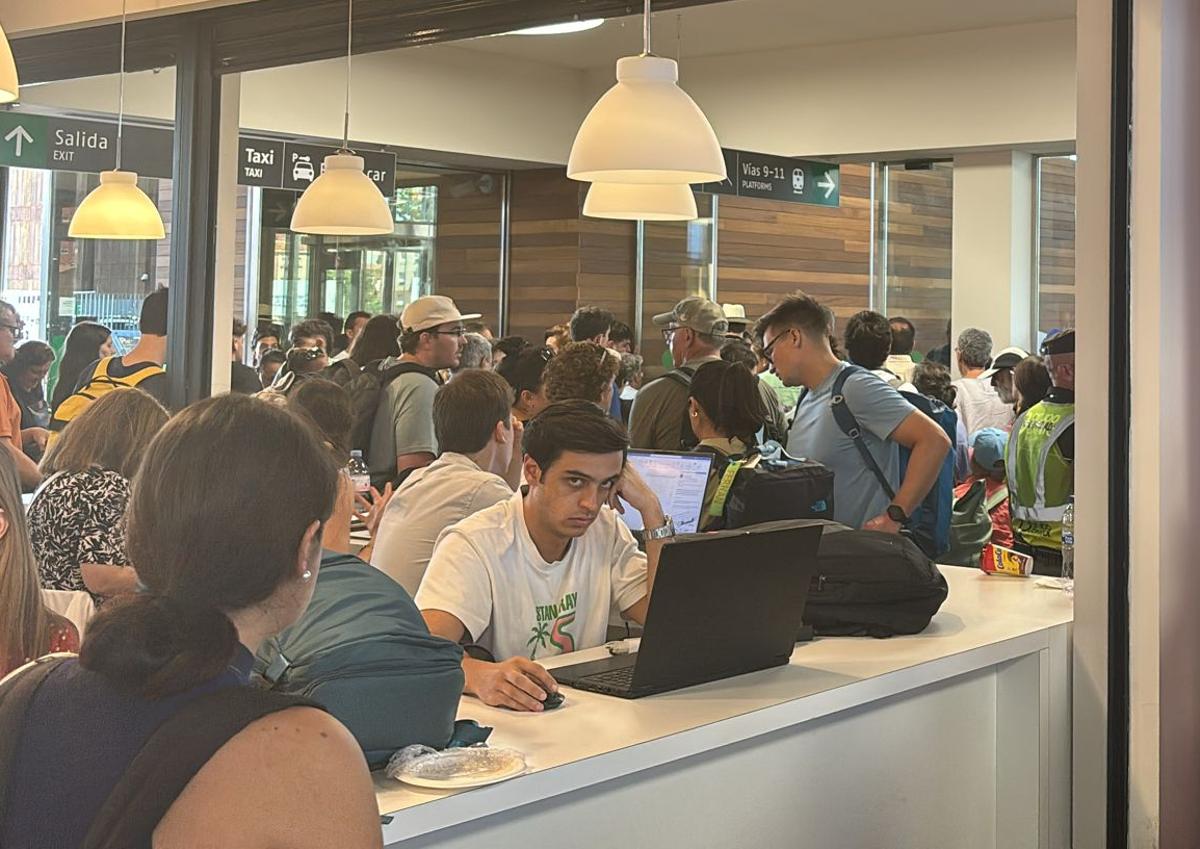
172	757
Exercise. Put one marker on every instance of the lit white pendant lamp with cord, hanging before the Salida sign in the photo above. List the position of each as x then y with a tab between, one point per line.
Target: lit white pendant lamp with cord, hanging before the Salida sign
118	209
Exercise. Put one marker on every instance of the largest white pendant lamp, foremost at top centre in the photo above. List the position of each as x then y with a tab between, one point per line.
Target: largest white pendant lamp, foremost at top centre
646	129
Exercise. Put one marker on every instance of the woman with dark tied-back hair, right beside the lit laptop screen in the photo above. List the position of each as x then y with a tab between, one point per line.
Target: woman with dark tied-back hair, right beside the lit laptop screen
727	412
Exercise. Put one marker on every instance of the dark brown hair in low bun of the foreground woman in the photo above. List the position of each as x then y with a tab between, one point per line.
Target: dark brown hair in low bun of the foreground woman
200	557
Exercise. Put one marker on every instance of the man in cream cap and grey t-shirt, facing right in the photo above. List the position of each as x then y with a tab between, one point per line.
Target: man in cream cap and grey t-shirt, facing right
431	339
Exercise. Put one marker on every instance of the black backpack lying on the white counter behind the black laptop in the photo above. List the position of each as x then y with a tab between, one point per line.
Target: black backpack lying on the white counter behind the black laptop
873	585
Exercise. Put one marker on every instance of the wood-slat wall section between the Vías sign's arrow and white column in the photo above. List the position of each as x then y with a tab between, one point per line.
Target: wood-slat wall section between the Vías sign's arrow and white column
920	221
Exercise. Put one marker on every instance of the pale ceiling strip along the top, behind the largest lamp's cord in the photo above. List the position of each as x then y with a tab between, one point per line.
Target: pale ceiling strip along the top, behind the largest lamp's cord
749	26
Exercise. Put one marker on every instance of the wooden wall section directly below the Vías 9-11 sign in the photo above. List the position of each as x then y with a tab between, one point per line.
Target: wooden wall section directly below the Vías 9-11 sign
769	250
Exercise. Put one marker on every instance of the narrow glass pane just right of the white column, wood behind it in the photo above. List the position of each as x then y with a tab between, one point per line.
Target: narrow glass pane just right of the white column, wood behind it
1055	303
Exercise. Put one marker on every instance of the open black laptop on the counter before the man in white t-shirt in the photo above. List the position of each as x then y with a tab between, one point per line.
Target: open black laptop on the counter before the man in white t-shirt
724	605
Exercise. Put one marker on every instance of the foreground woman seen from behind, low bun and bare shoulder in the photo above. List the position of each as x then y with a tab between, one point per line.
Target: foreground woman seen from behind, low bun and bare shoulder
219	576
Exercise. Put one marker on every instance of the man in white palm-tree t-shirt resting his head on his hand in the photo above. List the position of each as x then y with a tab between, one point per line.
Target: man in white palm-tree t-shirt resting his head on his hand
541	574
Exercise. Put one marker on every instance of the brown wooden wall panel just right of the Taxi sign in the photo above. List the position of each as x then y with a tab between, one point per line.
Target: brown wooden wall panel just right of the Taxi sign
467	260
